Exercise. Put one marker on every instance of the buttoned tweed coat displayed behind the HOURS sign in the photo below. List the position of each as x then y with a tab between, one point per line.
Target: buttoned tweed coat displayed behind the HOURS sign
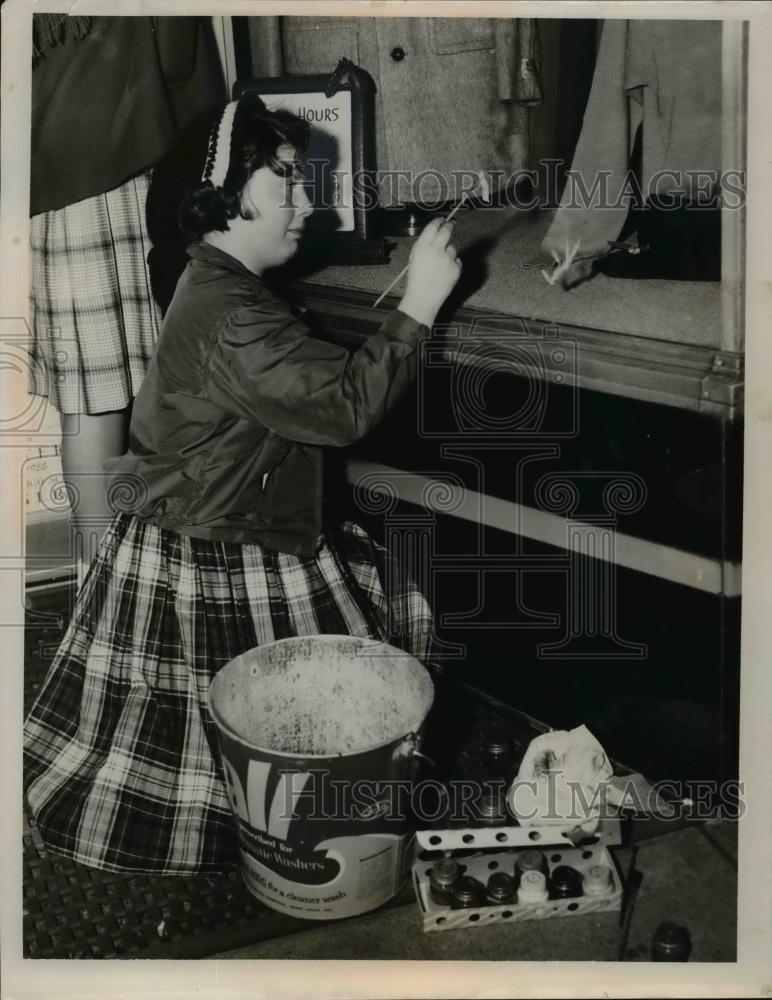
452	93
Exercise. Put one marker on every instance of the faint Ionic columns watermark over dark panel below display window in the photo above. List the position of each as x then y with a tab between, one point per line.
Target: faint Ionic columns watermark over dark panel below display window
495	584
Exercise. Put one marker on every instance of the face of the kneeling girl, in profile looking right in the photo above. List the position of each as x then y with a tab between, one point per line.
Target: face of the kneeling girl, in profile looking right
279	207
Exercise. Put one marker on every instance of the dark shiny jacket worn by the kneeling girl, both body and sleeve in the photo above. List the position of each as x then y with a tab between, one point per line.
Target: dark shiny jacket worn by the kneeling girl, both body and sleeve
228	428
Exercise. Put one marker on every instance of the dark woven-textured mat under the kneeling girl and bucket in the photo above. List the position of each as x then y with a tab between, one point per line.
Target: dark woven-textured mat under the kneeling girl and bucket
73	911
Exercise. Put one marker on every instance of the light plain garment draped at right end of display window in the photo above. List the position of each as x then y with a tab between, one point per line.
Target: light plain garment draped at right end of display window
666	77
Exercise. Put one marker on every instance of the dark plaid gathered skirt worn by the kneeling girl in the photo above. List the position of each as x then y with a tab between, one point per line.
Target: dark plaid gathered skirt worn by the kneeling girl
121	767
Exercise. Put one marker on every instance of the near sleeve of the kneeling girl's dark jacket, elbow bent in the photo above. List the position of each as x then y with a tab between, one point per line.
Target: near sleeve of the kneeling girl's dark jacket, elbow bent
266	367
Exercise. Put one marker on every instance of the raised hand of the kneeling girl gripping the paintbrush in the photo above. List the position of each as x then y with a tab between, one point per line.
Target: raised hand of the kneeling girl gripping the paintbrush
434	270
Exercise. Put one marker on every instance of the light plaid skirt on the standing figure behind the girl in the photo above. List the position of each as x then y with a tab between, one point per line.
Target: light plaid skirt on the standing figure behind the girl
93	317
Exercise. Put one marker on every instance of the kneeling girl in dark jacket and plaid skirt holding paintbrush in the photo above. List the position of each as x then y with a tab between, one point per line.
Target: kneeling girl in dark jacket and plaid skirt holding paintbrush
219	544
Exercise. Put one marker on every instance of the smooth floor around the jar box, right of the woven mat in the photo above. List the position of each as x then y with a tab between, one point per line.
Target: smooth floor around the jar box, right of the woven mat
685	879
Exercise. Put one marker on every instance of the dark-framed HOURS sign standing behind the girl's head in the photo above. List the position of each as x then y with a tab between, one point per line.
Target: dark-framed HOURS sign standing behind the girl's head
340	158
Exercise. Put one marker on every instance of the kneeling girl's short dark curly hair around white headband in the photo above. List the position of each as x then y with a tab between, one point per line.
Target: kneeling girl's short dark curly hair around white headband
255	139
